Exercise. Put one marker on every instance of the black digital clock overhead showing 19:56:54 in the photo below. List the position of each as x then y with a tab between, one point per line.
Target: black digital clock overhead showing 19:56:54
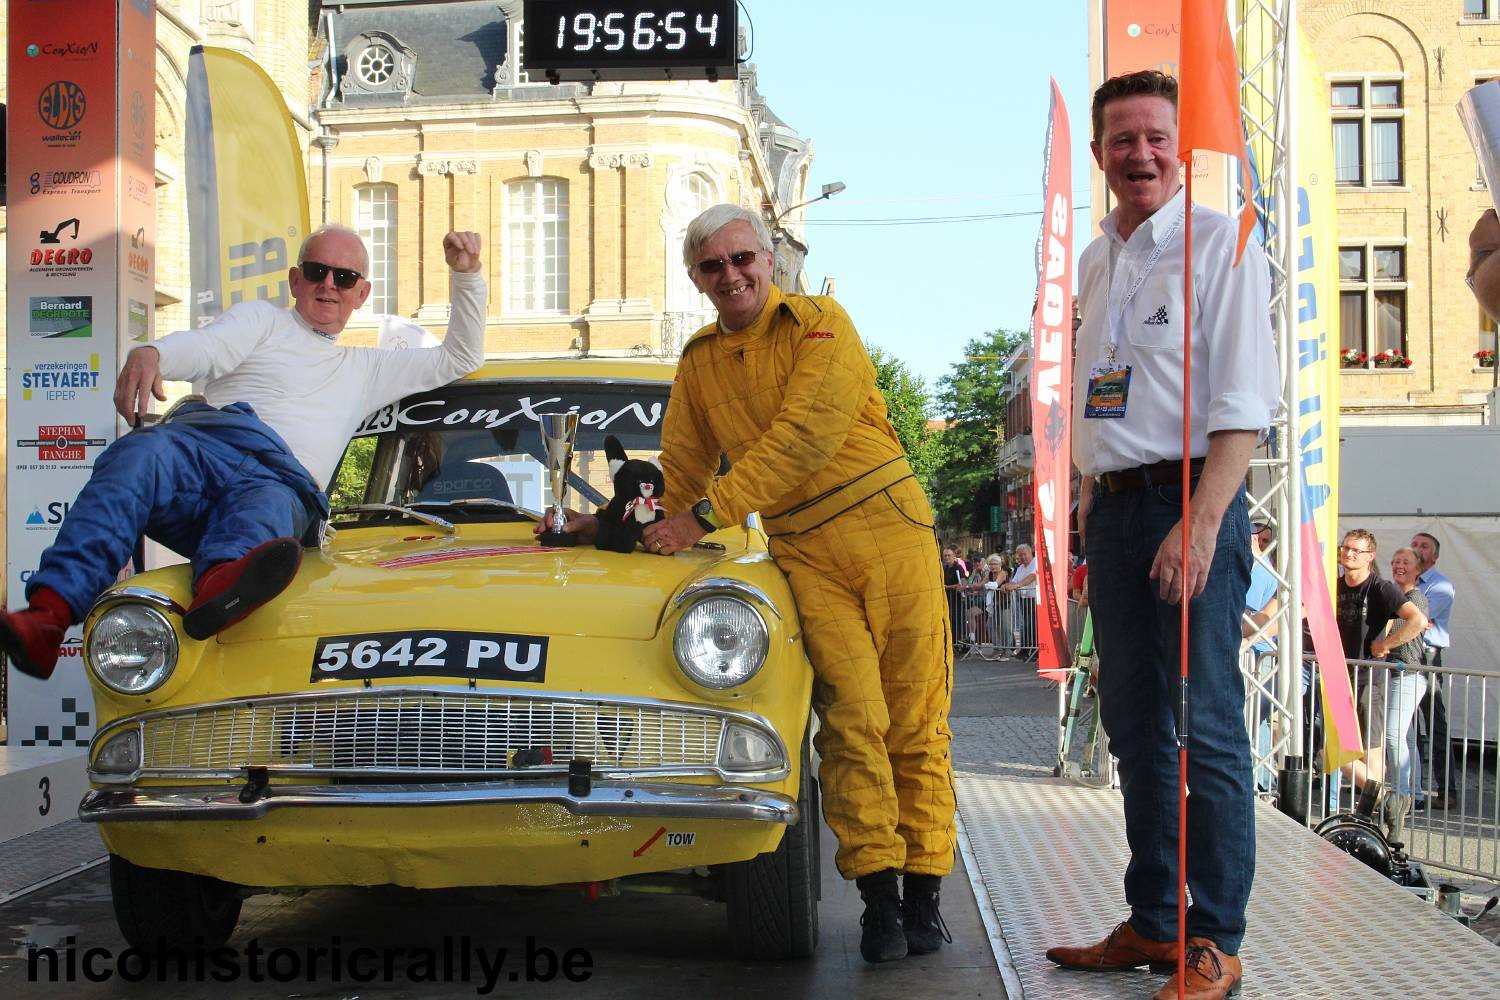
577	40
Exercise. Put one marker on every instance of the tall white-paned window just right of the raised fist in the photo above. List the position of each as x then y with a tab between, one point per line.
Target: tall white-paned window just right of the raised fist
536	247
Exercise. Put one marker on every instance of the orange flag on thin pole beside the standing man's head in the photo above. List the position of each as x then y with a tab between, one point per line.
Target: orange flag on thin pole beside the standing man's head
1208	97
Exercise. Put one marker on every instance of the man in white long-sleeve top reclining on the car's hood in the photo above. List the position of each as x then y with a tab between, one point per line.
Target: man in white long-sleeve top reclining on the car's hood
236	484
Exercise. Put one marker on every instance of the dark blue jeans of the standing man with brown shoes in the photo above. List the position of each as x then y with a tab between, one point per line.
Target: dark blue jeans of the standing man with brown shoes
1138	638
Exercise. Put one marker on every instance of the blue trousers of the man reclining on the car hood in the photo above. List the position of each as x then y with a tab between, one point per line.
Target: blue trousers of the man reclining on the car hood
196	496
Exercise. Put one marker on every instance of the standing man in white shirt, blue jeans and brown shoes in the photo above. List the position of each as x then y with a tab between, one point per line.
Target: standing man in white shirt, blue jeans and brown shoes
1127	433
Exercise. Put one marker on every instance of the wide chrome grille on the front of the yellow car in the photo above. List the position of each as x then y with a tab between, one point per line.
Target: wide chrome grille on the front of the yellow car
427	732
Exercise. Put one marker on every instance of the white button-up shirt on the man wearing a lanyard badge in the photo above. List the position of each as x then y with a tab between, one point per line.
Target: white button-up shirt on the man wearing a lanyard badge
1235	373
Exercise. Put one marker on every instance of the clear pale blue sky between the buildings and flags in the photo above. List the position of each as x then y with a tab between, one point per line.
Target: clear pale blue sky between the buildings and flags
926	112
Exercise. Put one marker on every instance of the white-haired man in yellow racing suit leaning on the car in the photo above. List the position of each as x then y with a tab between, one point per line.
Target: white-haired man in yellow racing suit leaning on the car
784	386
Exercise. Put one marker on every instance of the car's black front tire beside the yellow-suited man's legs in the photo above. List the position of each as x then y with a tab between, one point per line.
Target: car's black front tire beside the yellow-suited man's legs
773	899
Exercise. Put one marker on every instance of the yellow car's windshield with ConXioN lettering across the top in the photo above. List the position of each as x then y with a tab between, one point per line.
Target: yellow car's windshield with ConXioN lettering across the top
443	451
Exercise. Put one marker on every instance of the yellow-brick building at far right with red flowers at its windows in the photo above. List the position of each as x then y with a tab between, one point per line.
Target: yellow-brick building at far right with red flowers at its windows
1409	191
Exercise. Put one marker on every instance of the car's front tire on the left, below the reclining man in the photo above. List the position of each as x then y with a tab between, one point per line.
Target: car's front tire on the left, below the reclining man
157	908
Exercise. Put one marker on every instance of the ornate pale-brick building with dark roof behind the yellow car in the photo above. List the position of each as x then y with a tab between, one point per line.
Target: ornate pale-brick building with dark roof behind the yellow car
427	122
